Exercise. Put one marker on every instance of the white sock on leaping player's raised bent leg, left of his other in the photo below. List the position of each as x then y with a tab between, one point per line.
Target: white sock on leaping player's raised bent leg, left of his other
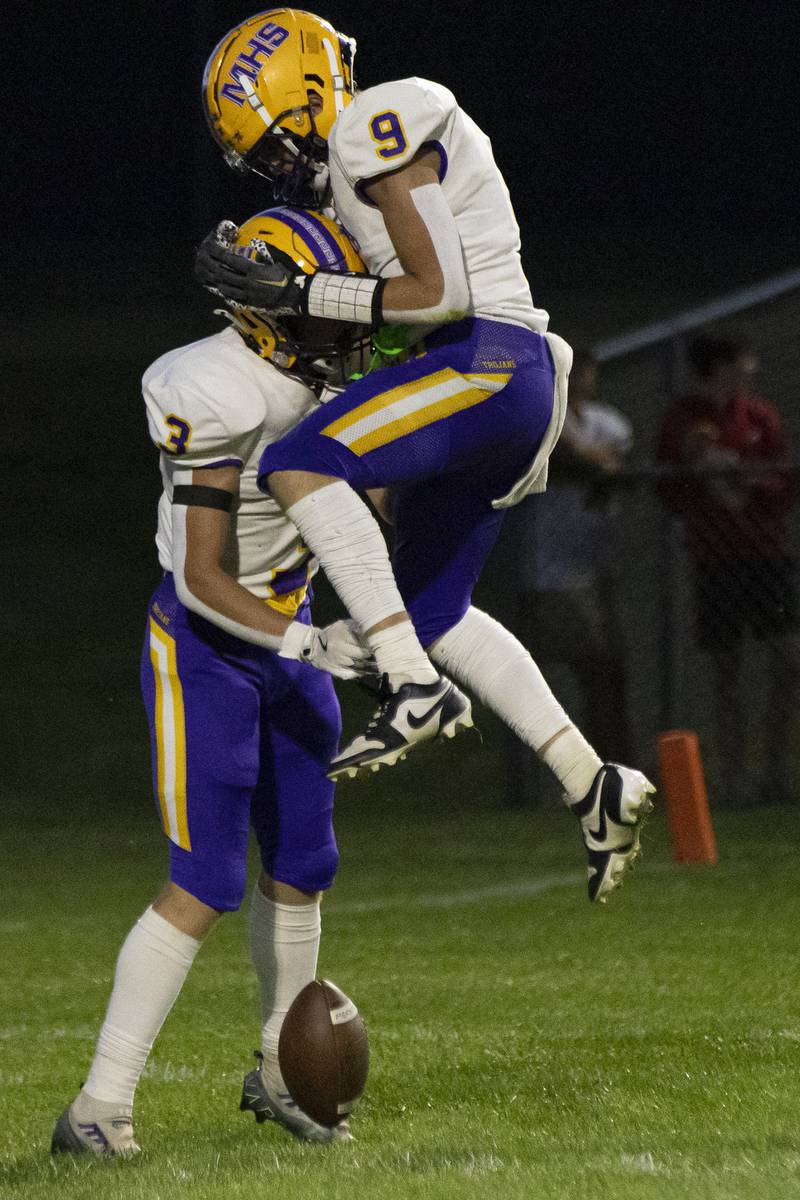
339	527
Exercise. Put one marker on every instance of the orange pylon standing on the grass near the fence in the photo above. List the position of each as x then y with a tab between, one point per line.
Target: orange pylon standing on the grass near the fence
688	806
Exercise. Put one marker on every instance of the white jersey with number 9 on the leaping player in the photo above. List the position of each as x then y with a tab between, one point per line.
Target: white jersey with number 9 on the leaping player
383	129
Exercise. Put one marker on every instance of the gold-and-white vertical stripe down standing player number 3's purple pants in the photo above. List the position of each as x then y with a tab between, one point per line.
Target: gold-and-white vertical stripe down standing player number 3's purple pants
171	737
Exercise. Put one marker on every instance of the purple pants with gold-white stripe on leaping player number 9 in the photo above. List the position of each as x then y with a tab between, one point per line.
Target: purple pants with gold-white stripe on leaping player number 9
449	431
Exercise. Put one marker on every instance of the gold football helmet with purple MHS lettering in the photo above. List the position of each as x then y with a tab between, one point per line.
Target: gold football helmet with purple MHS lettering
272	92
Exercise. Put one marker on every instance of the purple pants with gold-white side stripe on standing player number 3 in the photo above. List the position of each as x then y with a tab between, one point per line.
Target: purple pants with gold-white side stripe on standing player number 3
239	737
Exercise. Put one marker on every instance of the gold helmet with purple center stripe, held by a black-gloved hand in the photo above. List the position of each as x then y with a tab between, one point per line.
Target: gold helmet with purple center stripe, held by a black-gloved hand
316	351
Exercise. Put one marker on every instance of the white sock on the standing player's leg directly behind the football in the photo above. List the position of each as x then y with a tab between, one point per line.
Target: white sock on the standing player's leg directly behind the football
285	945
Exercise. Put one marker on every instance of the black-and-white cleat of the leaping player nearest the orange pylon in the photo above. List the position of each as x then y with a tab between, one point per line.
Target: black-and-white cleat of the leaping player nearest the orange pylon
611	817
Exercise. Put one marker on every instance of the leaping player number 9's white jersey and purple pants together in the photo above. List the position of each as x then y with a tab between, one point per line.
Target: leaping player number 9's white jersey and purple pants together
465	428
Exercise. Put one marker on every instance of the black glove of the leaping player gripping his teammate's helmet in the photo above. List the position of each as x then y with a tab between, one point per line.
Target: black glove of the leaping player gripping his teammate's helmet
256	283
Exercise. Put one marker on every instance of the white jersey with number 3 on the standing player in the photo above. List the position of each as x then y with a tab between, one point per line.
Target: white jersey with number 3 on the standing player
215	403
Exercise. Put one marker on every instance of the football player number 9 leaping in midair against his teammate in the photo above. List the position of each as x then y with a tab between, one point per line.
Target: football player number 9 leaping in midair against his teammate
459	429
